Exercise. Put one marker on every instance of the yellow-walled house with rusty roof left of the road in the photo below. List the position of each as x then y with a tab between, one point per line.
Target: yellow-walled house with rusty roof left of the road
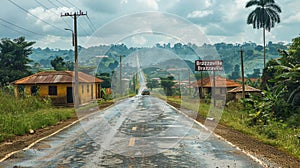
59	86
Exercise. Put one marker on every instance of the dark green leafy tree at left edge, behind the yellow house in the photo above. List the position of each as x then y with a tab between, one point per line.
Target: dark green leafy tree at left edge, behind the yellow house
14	61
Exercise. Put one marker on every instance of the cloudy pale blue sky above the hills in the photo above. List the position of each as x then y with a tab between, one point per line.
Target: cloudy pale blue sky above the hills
139	23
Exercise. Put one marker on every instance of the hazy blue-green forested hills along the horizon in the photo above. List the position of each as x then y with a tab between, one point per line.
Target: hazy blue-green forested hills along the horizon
229	53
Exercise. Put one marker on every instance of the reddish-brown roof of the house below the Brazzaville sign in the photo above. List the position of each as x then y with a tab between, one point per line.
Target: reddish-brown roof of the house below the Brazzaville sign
220	82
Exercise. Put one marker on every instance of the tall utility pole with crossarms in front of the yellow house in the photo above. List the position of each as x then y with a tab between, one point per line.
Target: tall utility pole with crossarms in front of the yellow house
75	15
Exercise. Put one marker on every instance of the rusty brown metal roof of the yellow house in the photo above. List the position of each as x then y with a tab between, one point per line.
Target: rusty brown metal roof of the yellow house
57	77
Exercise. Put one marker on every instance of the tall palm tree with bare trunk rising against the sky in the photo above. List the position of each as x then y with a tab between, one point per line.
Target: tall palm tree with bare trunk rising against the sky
264	16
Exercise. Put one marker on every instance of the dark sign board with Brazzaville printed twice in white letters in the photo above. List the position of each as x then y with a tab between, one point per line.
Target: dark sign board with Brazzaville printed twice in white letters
209	65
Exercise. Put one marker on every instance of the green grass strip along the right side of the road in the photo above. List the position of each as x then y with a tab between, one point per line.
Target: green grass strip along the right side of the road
276	134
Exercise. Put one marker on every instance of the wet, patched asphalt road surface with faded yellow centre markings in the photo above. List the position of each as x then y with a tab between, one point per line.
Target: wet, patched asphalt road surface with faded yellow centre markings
141	131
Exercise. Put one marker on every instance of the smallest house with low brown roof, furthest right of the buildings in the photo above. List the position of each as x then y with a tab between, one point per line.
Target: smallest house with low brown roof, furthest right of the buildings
236	93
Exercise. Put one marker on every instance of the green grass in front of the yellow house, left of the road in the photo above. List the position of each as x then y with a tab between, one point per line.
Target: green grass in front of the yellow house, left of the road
20	116
